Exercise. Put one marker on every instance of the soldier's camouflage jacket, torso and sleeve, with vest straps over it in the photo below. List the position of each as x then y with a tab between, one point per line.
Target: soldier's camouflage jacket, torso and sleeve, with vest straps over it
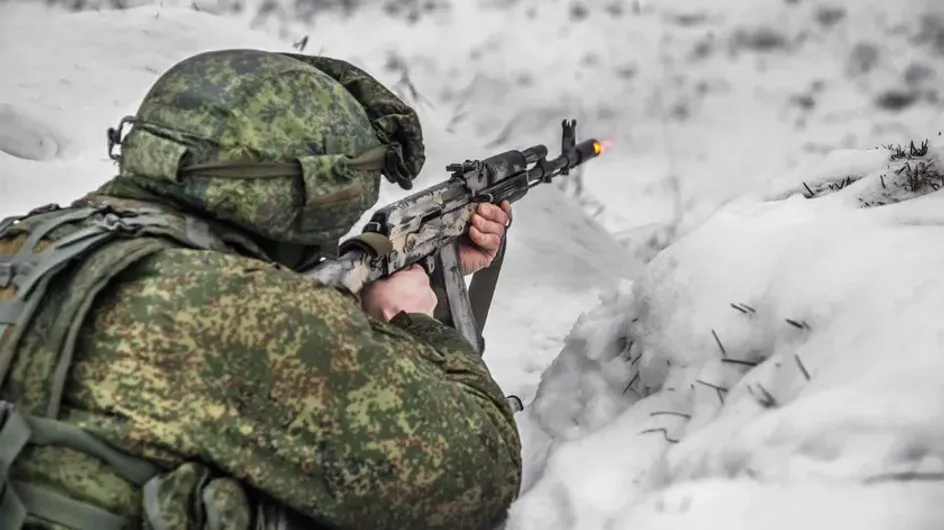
229	392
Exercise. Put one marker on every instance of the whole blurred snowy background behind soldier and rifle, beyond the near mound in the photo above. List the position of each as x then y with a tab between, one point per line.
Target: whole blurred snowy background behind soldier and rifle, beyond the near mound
702	101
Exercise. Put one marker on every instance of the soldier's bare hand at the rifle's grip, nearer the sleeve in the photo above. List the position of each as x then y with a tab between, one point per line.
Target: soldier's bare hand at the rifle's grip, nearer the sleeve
406	290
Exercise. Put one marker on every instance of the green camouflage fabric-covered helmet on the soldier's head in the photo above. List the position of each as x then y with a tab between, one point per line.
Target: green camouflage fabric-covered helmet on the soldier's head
288	147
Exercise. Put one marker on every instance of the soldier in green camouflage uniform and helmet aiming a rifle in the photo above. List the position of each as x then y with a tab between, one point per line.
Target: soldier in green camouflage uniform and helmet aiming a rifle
167	367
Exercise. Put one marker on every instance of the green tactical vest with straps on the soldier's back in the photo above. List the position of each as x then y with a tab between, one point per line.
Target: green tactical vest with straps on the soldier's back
74	253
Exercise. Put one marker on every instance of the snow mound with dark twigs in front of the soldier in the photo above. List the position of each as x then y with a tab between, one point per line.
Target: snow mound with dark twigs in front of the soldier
779	366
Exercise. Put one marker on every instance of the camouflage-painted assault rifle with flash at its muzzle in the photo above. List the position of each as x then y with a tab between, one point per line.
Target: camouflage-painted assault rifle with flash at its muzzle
426	228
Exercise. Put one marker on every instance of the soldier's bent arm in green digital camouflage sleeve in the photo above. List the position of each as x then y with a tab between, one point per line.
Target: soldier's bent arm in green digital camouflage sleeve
291	388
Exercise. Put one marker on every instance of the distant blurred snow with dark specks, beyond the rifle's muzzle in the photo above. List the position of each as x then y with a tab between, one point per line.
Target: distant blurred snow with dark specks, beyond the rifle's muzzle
703	100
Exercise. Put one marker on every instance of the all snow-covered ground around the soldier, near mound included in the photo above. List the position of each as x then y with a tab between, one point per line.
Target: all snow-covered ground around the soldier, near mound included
776	366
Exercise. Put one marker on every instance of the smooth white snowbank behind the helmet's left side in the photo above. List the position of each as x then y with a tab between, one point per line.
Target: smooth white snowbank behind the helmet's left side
63	91
